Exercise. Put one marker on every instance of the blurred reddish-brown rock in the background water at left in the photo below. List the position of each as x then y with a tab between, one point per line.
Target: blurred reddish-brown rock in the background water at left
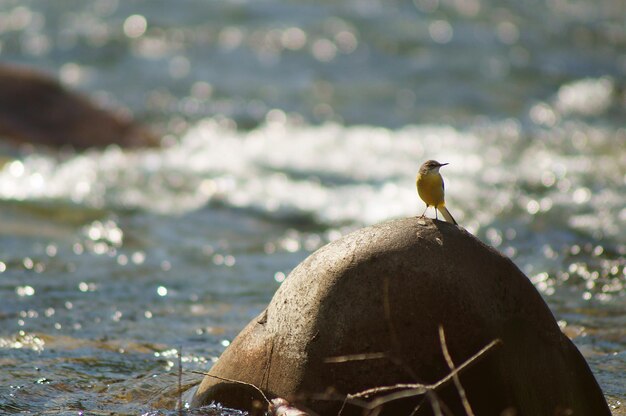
36	109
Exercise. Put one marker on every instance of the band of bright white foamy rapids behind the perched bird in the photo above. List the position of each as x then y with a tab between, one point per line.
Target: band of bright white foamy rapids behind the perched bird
567	171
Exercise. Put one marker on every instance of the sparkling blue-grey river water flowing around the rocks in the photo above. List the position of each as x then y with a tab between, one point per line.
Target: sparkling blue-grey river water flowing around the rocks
285	125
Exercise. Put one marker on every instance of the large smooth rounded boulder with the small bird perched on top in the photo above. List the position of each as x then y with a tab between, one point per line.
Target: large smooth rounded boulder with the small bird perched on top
425	273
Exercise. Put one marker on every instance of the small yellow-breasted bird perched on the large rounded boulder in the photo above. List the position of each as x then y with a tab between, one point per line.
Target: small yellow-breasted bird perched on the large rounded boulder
430	188
